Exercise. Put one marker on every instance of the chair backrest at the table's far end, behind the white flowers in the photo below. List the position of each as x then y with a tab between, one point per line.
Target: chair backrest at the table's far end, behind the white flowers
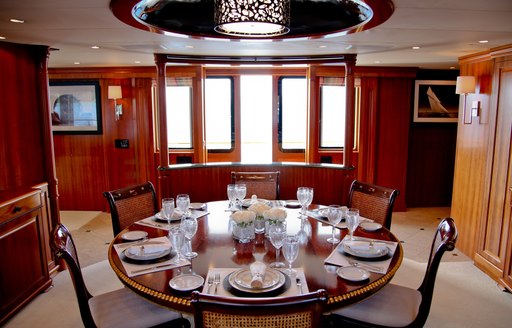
262	184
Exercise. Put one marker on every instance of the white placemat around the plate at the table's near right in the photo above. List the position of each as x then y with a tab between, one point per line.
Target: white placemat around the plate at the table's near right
338	257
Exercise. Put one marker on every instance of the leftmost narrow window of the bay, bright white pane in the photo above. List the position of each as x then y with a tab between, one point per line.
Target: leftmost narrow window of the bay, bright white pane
178	95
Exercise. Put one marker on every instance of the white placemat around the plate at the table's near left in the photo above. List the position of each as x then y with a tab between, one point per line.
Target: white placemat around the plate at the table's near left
133	269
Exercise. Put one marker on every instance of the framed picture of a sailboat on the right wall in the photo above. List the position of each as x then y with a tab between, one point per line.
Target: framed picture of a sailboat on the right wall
435	101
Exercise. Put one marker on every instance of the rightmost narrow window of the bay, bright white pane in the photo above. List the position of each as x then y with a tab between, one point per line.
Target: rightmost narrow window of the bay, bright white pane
332	113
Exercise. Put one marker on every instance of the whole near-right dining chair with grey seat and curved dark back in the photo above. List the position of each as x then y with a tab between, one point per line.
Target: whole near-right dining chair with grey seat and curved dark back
399	306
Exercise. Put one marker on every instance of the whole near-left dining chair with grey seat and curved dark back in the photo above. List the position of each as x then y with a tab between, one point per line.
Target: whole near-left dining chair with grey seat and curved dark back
118	308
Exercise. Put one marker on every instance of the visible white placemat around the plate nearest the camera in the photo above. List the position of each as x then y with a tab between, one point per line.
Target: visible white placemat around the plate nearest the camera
224	272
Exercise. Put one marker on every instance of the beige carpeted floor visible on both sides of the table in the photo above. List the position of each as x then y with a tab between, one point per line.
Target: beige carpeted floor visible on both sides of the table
464	296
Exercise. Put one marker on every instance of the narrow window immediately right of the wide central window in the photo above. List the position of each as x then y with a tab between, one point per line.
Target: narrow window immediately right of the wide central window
293	114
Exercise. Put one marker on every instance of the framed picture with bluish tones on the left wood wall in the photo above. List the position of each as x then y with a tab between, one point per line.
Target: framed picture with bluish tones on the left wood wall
75	107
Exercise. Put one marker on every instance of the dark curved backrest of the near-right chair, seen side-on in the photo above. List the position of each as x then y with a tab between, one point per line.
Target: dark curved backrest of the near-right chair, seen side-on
444	240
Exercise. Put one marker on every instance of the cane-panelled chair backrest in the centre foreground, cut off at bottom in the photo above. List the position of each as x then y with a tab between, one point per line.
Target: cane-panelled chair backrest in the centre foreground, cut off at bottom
298	311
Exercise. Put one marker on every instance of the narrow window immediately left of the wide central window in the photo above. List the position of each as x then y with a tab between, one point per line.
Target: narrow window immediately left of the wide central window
219	114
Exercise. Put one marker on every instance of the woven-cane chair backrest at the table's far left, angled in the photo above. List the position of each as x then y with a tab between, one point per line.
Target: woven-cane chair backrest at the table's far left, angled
131	204
